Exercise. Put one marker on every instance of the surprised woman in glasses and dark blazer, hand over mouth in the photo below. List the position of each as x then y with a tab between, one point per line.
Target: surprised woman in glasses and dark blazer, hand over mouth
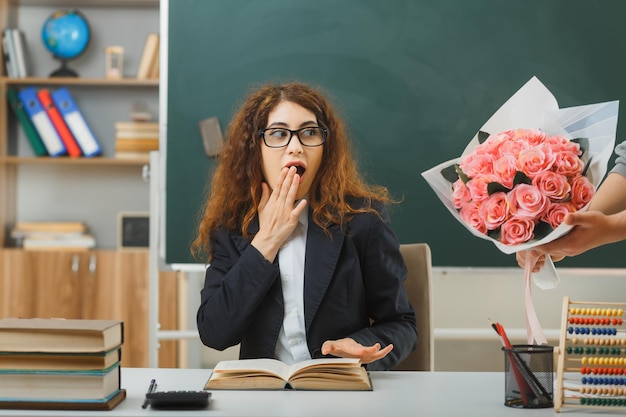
302	260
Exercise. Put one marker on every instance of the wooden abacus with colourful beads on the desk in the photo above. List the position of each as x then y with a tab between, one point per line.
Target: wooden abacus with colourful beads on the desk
591	367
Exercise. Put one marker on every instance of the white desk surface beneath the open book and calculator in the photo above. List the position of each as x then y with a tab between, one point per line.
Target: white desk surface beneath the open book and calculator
395	393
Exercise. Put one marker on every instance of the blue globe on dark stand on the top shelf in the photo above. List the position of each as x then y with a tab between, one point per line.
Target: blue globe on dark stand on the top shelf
65	34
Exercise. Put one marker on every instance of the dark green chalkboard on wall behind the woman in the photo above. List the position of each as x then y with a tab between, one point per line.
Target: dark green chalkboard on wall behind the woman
415	79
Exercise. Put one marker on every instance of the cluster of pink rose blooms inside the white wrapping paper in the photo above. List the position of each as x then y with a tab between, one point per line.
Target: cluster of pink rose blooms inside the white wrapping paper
518	185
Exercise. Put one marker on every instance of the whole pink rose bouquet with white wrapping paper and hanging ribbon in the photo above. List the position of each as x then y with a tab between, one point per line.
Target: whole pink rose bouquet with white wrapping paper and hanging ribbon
529	165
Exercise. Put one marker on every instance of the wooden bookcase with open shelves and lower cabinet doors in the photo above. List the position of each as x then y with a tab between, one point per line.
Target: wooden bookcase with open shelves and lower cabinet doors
105	282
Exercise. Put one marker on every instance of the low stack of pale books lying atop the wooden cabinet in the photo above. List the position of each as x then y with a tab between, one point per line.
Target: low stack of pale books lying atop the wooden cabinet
52	236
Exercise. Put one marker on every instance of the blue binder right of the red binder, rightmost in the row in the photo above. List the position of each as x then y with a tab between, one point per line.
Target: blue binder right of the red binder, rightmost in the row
77	124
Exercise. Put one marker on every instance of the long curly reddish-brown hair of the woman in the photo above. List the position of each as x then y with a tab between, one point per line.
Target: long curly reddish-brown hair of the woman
235	190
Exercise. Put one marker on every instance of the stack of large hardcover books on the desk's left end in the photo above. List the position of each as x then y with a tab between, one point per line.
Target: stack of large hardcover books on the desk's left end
60	364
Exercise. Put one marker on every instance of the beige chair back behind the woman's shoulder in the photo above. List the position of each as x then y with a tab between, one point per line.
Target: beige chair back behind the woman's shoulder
418	285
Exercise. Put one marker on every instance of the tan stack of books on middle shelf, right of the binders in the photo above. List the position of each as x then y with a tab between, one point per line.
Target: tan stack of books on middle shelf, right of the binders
136	139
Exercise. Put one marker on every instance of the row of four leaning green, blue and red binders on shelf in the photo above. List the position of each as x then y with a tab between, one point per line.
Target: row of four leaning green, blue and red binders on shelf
53	123
